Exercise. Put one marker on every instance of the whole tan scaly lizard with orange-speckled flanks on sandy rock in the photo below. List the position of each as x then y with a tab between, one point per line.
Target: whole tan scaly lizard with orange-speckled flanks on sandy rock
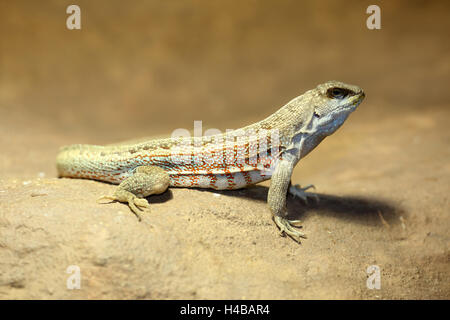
151	166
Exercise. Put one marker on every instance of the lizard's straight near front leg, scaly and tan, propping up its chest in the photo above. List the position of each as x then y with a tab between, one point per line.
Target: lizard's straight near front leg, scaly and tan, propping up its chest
276	199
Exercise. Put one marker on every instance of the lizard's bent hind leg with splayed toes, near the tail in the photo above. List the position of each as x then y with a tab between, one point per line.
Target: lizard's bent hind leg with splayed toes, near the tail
145	181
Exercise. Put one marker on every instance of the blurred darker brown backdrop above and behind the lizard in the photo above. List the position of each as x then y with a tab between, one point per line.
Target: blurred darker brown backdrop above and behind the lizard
151	66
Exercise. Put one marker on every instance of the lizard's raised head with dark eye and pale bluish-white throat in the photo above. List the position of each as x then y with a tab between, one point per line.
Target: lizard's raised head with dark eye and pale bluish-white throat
333	102
